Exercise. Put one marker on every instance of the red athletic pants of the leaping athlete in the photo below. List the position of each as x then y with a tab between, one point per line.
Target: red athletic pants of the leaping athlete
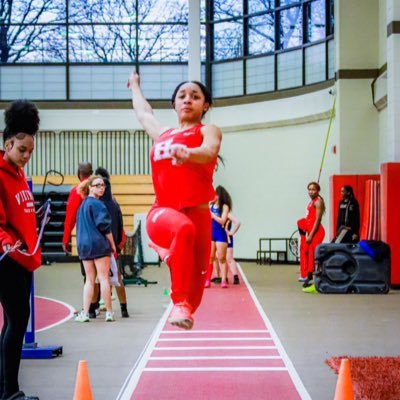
187	235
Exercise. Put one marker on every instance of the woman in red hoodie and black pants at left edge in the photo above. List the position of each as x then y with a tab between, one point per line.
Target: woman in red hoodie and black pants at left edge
18	238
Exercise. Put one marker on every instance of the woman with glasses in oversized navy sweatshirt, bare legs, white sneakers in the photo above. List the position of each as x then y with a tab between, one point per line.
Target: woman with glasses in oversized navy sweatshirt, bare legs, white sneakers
95	244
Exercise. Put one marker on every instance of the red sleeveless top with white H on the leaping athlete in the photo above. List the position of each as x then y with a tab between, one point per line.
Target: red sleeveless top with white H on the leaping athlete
180	186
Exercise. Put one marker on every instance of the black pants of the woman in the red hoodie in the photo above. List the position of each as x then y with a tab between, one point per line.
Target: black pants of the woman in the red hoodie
15	286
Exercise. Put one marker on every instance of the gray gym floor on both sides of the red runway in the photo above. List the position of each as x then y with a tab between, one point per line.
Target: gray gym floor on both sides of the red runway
311	328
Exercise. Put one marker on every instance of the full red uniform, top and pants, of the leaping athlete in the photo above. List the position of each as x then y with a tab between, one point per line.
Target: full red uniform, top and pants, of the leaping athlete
180	218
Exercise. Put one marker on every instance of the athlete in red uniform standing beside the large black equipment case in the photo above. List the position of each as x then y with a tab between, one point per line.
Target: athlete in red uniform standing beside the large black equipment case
314	230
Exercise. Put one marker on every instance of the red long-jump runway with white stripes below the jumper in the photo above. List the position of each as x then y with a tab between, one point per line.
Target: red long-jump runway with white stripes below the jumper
231	353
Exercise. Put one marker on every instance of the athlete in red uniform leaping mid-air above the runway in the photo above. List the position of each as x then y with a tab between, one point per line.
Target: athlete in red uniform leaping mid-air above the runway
182	161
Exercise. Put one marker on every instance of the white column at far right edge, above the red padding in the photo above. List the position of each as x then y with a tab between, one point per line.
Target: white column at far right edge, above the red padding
392	142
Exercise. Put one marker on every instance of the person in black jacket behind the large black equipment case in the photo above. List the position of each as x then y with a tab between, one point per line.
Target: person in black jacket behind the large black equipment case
348	220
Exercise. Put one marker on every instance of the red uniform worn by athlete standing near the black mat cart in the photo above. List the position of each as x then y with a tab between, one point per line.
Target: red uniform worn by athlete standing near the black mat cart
309	248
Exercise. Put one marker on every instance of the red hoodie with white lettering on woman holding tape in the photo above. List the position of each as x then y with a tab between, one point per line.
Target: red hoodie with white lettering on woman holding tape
17	215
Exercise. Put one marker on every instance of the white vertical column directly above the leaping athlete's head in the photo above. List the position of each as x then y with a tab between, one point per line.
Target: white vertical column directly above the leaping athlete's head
194	72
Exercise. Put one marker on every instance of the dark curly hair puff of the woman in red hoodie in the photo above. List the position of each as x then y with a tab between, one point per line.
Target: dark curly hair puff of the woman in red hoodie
20	117
